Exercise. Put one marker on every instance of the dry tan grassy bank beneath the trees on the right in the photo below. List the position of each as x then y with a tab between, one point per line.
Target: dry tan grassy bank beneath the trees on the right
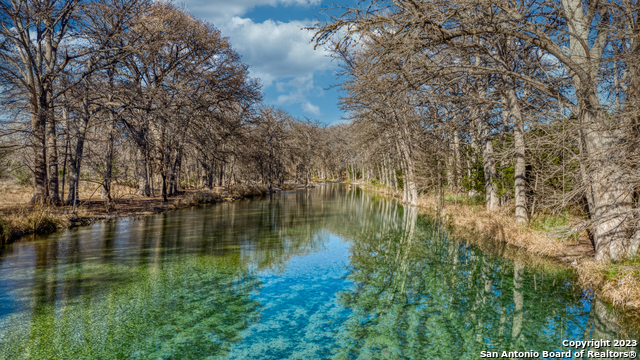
545	236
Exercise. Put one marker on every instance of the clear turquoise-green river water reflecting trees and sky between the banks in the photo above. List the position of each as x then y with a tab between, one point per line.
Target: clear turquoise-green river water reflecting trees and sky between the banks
328	273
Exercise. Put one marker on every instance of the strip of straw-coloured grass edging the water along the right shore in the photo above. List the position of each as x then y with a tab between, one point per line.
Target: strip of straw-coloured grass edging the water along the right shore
616	284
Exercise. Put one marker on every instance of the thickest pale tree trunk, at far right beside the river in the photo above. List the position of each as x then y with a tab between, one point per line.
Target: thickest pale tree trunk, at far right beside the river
612	196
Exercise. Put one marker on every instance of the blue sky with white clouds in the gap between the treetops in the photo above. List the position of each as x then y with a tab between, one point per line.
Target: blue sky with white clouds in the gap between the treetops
268	35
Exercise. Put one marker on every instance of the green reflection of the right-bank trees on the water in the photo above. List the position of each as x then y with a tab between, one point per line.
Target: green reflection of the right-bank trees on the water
418	294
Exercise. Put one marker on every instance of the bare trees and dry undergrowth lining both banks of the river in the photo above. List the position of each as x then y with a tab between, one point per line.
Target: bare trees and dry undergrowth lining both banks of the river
533	116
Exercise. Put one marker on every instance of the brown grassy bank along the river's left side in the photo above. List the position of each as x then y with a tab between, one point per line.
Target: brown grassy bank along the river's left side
20	218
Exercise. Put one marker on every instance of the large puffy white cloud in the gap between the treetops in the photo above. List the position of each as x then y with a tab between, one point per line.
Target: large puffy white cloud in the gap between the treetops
279	53
